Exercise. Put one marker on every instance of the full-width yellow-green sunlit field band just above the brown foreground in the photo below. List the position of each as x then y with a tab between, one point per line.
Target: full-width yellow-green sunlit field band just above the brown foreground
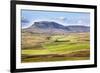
56	49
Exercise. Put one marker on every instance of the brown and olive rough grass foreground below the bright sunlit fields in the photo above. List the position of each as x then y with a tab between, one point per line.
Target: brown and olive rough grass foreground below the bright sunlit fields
79	55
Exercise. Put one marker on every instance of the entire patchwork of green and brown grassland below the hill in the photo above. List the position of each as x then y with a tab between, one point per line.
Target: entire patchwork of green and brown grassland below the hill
44	47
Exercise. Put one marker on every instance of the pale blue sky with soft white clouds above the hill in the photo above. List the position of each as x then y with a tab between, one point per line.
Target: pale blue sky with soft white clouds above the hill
28	17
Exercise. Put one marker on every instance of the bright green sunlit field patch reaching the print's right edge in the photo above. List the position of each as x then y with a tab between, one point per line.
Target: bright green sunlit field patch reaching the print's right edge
67	47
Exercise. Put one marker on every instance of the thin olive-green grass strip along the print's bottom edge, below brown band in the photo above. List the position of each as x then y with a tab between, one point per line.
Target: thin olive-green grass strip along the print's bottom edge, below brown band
48	59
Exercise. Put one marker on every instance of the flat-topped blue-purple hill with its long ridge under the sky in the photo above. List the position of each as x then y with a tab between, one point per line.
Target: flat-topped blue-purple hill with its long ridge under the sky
54	28
